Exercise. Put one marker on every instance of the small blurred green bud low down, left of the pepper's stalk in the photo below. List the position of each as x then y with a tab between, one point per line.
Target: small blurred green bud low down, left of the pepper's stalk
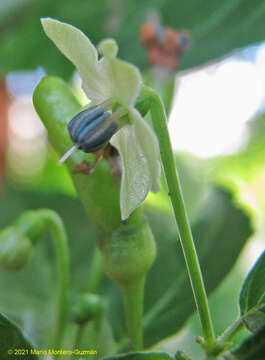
86	307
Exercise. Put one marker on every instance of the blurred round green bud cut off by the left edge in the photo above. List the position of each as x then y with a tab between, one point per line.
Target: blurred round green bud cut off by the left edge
15	249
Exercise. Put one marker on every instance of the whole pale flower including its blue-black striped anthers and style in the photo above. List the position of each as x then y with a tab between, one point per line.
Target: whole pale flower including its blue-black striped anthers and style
112	85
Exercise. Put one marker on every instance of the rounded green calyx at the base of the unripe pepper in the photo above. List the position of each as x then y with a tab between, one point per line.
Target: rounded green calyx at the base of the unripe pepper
129	253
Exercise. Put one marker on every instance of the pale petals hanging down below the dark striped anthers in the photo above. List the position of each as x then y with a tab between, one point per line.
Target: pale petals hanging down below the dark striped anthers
138	148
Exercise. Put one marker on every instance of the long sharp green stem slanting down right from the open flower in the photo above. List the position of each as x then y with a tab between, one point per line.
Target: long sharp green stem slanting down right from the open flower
184	229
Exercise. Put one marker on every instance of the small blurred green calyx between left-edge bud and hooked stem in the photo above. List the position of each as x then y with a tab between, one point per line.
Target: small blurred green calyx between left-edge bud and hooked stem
30	224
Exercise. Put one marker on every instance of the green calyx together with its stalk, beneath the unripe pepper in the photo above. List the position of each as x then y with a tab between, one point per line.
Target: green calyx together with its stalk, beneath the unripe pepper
127	257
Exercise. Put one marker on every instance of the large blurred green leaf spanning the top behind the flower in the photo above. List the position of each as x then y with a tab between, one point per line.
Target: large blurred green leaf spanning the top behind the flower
217	27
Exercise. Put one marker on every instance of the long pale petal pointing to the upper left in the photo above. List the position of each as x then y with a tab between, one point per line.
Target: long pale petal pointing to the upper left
74	44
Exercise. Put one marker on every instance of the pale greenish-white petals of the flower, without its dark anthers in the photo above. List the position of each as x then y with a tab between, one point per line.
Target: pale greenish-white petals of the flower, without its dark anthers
113	79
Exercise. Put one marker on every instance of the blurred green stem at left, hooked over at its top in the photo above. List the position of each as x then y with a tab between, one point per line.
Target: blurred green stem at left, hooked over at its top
61	245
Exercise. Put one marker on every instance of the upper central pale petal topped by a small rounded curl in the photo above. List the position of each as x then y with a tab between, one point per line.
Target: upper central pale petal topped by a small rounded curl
122	79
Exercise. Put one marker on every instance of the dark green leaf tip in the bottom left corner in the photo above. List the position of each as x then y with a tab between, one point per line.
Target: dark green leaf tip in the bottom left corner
12	338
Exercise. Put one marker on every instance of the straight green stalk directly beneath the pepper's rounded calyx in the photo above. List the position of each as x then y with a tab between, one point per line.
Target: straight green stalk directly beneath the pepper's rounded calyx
133	295
